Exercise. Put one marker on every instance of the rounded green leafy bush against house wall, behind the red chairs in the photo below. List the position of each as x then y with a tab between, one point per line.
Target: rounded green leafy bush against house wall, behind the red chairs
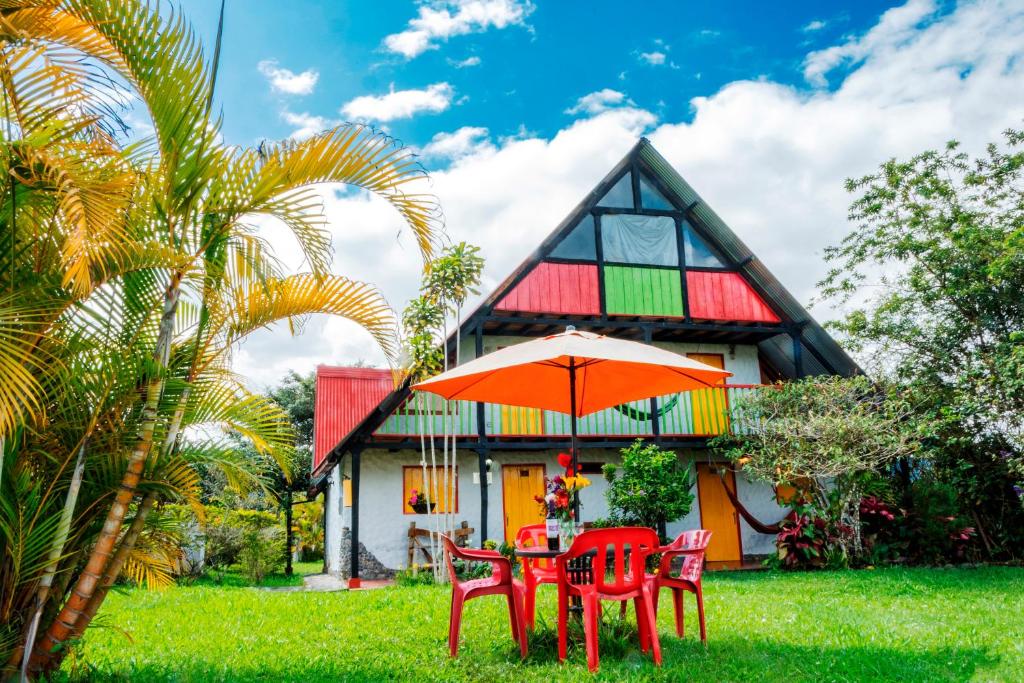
651	488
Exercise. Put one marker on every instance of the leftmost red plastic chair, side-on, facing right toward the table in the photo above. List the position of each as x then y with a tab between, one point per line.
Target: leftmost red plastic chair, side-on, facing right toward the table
500	583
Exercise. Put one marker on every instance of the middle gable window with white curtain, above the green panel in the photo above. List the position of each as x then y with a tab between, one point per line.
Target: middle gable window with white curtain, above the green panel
641	240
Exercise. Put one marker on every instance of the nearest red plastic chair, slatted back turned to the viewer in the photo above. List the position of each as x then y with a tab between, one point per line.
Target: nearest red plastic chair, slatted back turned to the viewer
609	547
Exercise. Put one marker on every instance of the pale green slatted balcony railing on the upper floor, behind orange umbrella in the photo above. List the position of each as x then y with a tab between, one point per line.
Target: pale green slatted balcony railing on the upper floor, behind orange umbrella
701	413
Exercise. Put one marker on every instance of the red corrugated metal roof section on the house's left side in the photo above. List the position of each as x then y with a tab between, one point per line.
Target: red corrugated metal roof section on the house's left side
345	398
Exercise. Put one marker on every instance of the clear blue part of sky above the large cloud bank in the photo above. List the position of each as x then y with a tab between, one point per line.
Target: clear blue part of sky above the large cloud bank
659	55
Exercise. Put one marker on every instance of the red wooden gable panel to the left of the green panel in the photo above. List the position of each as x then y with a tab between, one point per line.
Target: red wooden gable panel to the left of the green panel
557	288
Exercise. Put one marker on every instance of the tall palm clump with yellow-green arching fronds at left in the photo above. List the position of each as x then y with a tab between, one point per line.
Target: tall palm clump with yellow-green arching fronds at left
127	276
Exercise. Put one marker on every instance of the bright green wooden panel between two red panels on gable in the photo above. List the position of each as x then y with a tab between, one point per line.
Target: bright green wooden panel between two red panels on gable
638	291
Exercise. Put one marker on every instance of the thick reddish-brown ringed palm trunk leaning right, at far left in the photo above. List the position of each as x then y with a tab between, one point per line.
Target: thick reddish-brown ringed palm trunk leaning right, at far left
92	578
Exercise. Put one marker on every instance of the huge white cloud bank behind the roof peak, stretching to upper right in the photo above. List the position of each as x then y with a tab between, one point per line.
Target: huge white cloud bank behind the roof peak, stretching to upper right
771	159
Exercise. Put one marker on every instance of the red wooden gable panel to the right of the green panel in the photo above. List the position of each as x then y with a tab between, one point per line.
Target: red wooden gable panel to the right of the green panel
726	296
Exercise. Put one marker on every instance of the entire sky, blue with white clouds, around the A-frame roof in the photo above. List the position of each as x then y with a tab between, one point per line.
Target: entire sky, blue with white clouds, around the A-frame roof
519	108
